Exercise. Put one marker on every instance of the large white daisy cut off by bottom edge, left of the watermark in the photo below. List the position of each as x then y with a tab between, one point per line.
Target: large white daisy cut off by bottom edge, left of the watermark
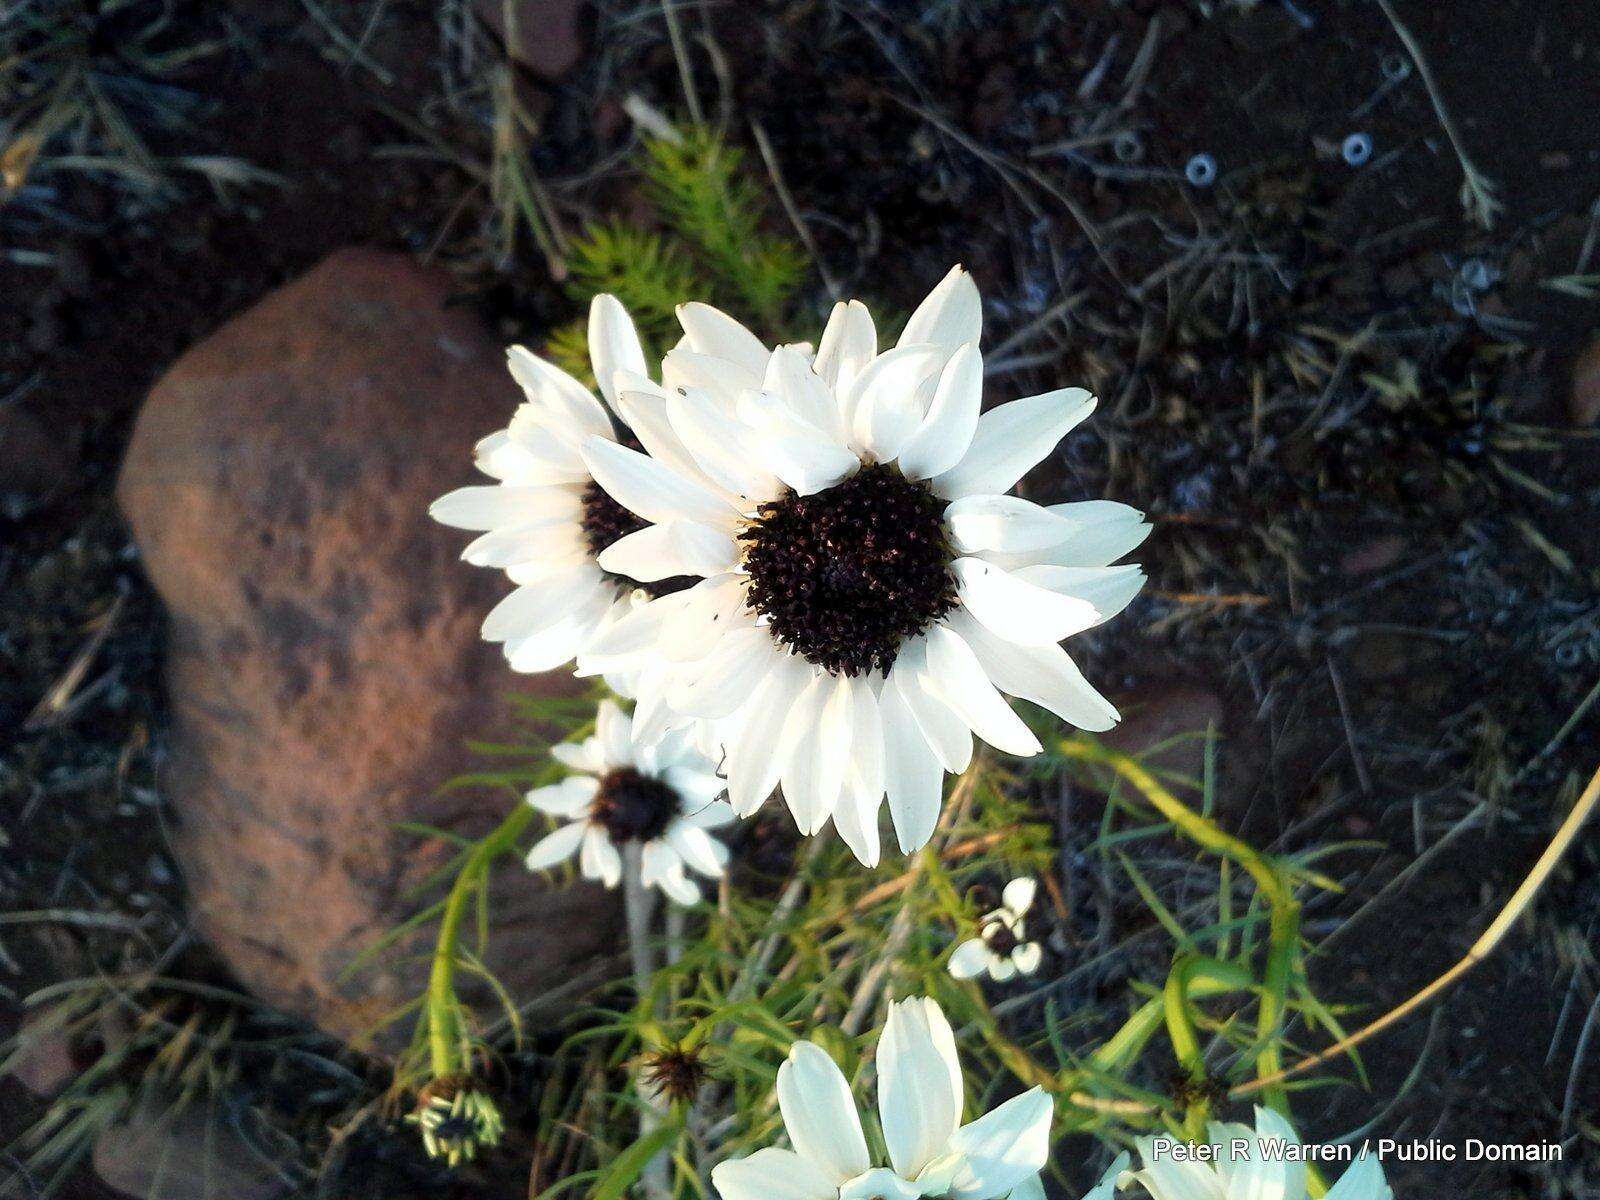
921	1111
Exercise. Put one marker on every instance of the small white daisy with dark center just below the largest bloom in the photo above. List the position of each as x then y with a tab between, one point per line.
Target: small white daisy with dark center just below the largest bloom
662	796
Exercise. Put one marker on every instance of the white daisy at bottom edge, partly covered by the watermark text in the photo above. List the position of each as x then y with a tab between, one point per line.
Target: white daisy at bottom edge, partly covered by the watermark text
1263	1174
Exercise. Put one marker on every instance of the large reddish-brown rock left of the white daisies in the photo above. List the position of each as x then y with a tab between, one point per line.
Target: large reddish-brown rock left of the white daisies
324	658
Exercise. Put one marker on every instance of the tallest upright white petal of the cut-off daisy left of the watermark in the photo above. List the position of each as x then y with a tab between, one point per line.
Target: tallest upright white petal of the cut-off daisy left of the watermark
918	1103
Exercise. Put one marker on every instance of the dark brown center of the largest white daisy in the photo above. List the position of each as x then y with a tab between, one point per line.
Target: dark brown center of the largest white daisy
846	575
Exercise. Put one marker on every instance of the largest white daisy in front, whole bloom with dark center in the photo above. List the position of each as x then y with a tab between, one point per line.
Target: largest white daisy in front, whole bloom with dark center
868	588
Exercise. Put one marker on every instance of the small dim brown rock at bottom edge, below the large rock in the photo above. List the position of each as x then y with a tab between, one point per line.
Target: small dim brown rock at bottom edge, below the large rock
190	1153
